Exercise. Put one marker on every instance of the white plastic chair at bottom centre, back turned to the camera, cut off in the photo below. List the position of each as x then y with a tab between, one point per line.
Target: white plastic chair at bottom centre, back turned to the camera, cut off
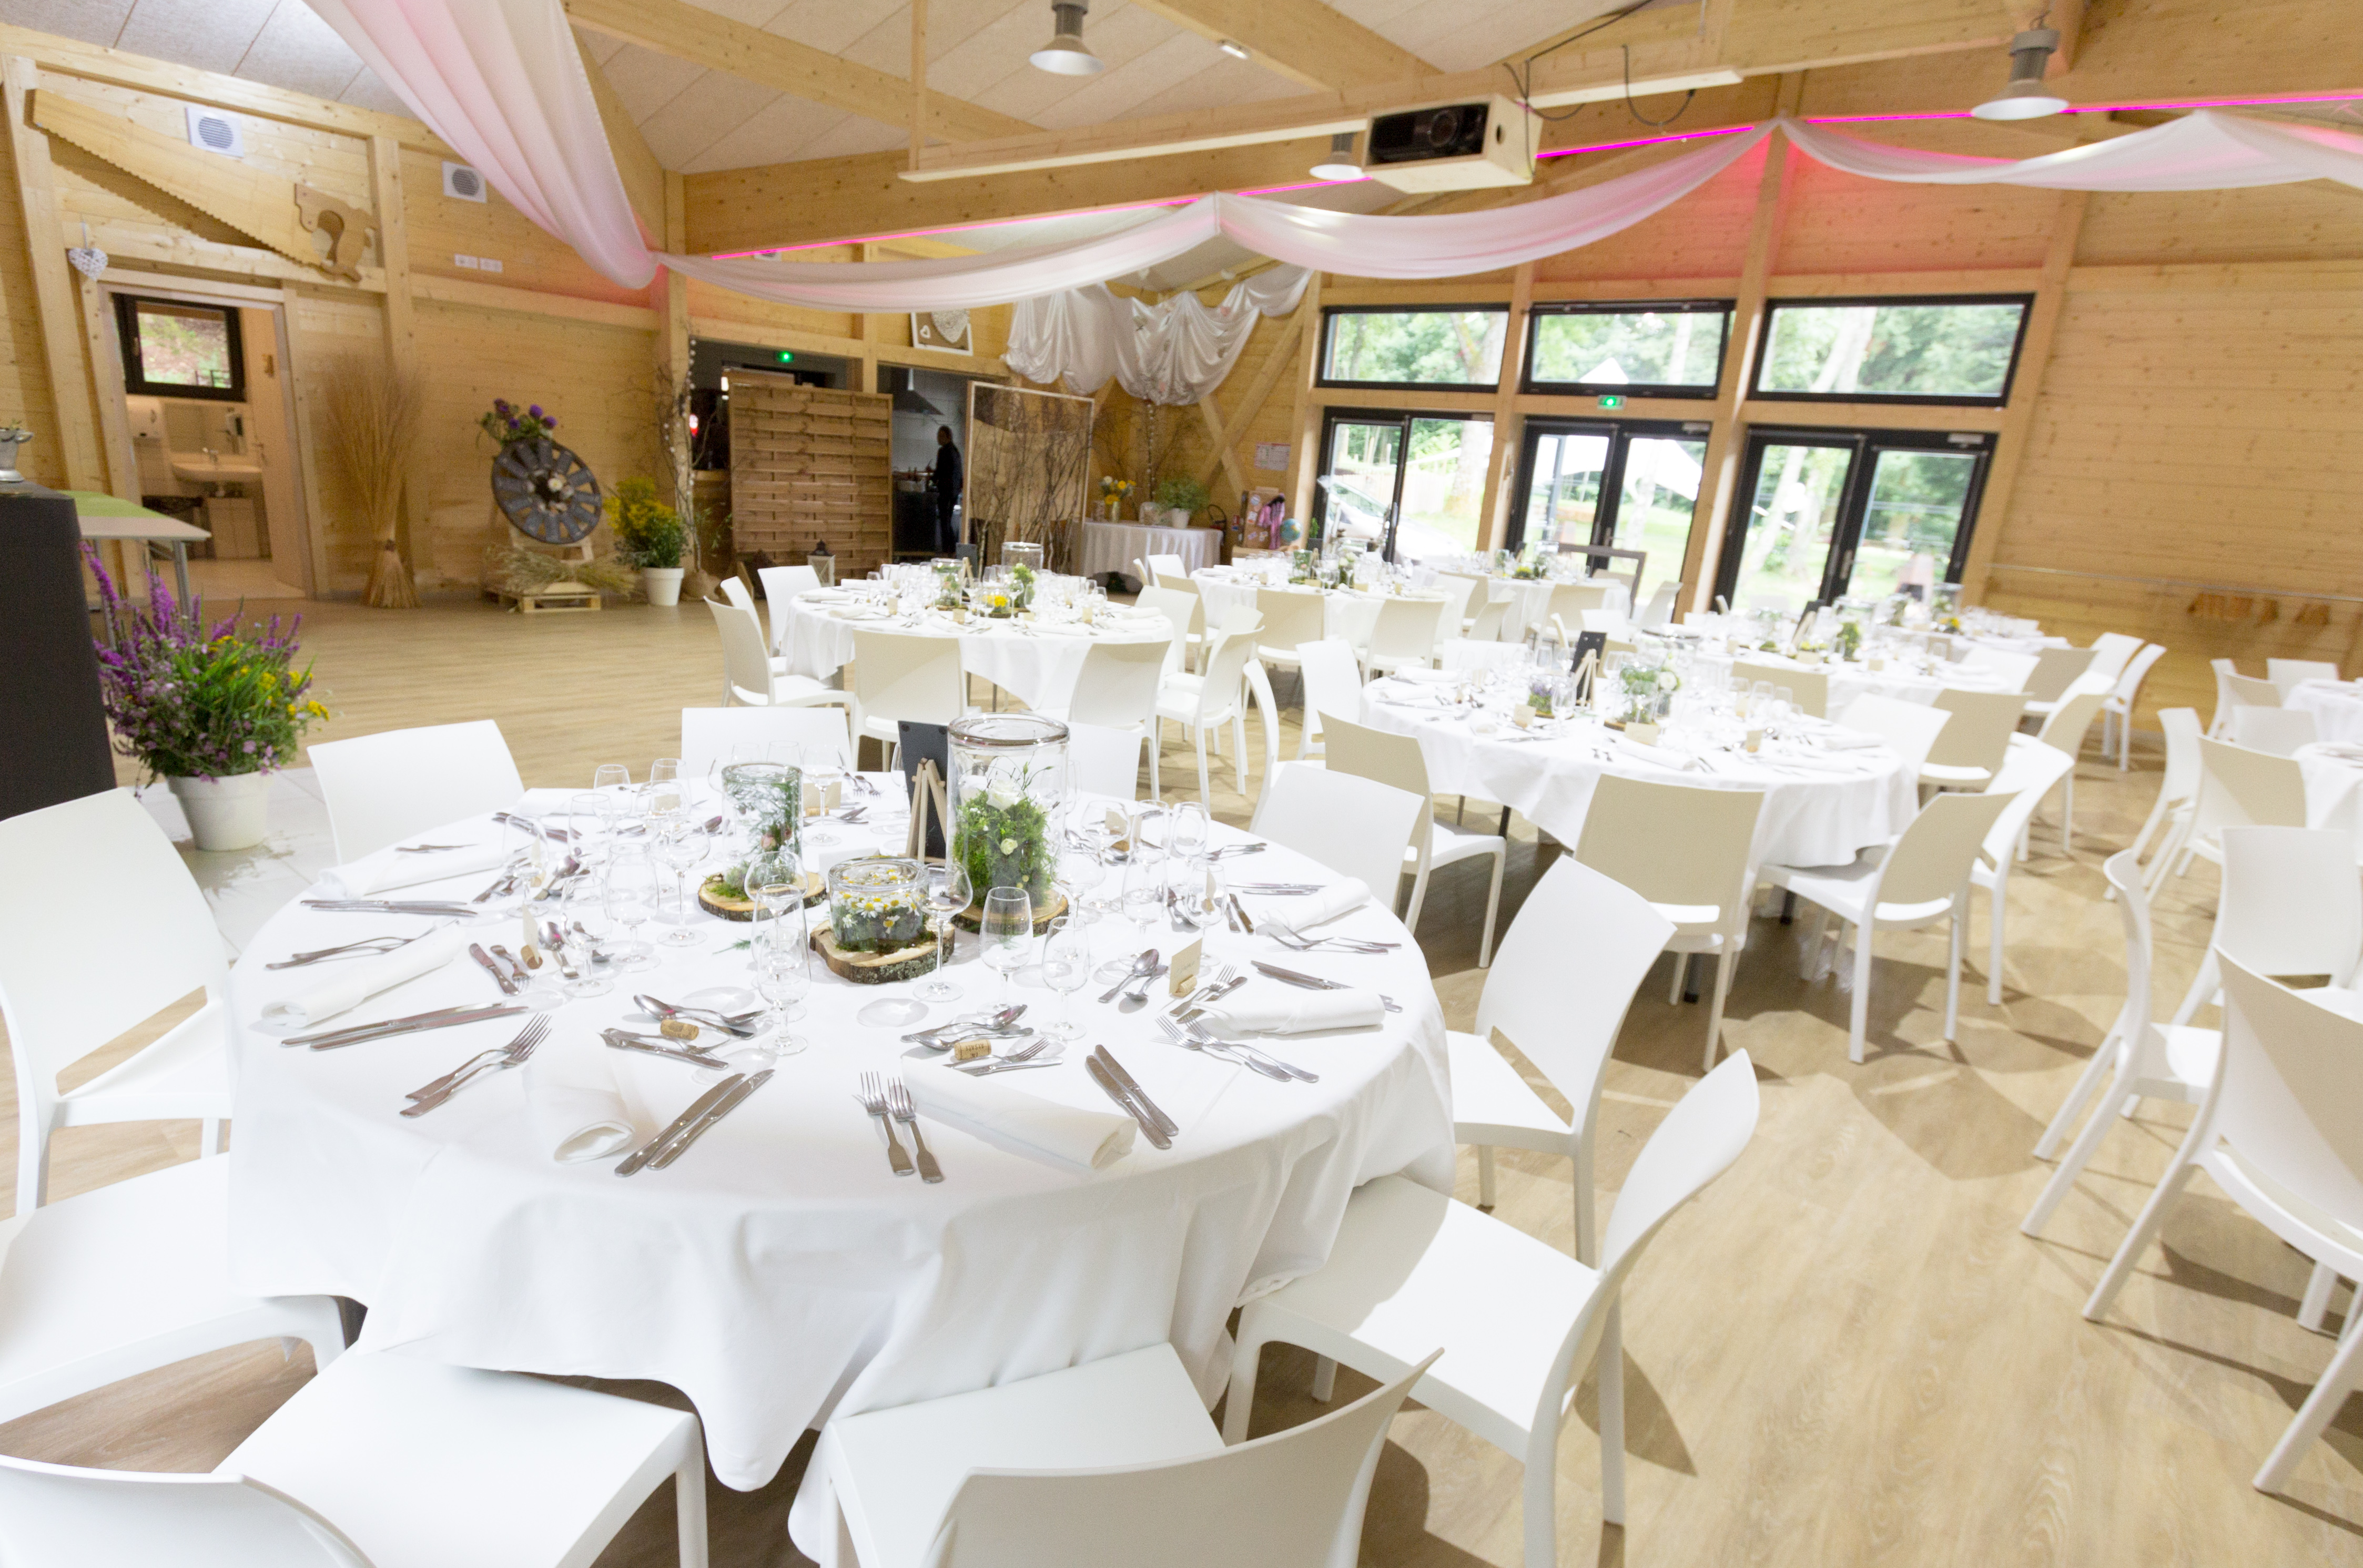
1095	1465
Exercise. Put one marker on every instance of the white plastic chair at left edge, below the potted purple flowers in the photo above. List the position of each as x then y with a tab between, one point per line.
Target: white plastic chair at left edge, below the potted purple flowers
103	929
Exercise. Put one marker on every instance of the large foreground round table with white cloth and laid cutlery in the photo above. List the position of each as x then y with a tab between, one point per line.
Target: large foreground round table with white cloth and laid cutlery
781	1272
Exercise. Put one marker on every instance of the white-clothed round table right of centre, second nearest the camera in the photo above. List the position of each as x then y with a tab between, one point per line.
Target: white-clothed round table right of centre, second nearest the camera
1823	806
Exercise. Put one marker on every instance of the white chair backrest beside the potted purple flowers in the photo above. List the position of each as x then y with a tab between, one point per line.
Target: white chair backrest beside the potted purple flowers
391	785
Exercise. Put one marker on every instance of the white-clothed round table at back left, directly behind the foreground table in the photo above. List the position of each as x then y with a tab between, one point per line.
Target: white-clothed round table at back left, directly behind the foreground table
1031	660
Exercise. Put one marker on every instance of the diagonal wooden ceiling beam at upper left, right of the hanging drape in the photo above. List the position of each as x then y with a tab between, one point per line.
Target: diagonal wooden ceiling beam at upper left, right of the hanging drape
734	48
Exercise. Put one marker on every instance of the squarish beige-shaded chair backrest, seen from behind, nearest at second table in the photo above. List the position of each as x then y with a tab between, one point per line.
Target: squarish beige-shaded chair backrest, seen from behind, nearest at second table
1674	844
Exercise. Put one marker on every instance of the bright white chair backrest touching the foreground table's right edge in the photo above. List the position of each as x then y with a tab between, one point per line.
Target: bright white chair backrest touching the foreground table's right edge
1565	974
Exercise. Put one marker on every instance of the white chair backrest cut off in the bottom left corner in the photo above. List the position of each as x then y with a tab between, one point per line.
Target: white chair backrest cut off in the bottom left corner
67	1517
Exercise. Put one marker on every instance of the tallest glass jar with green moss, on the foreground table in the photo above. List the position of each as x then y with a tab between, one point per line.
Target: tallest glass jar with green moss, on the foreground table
1008	797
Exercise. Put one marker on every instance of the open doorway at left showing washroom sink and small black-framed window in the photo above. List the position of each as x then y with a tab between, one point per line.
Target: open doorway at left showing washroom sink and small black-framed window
211	433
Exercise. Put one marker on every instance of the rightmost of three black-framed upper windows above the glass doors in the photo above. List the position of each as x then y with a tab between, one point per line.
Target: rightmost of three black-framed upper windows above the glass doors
1920	351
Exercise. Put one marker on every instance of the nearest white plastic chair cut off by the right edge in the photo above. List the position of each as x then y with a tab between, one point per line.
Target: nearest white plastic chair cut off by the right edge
2281	1132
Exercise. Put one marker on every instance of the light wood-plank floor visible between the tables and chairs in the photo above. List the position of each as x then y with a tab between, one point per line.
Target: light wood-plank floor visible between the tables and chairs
1844	1354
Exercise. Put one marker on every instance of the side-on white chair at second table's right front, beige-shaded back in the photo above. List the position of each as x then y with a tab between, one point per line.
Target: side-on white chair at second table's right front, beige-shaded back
1918	880
